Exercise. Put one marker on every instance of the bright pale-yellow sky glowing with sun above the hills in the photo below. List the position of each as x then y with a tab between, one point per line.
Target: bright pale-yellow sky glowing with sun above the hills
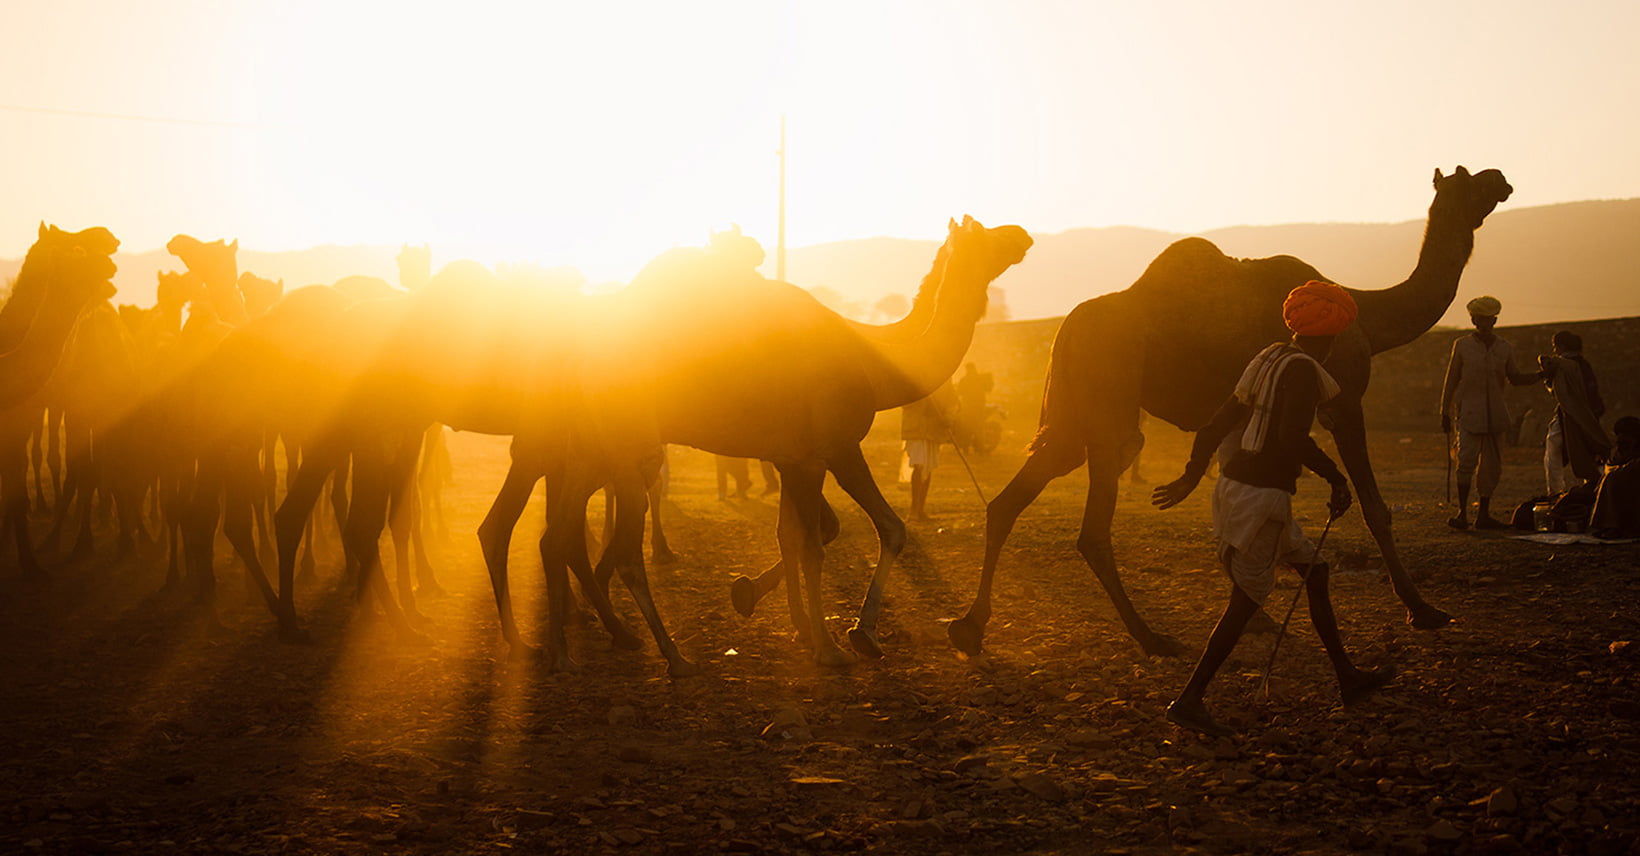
601	134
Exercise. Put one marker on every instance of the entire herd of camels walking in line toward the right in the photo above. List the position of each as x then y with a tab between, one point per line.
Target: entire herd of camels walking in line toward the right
175	414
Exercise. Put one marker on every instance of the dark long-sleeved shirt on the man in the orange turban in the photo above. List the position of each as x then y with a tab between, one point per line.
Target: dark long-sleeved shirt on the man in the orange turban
1288	448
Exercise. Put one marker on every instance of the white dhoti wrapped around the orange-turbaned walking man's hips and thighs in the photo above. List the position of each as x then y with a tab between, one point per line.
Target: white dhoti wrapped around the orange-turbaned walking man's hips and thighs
1257	532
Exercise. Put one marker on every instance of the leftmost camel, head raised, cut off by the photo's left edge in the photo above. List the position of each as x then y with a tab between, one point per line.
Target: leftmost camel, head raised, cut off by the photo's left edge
63	275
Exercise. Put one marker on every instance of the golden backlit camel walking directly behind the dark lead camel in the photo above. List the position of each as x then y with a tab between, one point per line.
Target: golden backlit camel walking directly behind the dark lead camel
749	368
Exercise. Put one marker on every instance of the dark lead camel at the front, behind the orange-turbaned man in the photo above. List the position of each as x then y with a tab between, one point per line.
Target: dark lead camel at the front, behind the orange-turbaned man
1173	347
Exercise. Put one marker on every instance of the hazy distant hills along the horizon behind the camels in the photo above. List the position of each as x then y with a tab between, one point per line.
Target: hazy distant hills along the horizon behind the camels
1554	263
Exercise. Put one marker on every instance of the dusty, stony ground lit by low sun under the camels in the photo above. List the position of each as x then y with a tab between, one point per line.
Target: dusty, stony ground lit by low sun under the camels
132	731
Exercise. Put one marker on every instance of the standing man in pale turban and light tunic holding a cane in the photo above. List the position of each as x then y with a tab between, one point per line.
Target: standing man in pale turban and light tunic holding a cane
1480	368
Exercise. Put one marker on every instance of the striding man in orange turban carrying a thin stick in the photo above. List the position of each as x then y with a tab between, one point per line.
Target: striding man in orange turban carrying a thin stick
1254	521
